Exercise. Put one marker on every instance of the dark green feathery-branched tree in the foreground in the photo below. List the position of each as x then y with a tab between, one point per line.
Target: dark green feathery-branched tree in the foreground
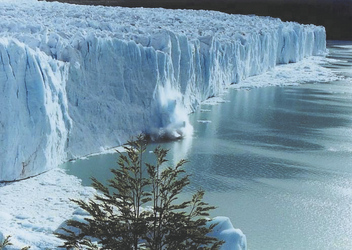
139	208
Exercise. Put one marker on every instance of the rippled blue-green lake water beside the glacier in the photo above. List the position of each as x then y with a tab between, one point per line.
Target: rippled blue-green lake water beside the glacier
276	160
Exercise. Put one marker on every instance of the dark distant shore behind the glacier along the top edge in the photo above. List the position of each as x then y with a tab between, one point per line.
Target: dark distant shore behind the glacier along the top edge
334	15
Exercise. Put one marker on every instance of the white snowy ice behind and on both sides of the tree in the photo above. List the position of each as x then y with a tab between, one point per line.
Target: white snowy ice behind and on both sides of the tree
31	210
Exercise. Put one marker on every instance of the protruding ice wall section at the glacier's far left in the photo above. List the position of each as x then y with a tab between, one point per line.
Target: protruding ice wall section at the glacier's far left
34	122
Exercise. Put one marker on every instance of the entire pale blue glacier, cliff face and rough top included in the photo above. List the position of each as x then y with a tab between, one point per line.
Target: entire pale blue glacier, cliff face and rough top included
75	80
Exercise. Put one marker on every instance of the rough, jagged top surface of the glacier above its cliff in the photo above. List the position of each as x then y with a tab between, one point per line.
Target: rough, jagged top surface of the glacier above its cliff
33	19
